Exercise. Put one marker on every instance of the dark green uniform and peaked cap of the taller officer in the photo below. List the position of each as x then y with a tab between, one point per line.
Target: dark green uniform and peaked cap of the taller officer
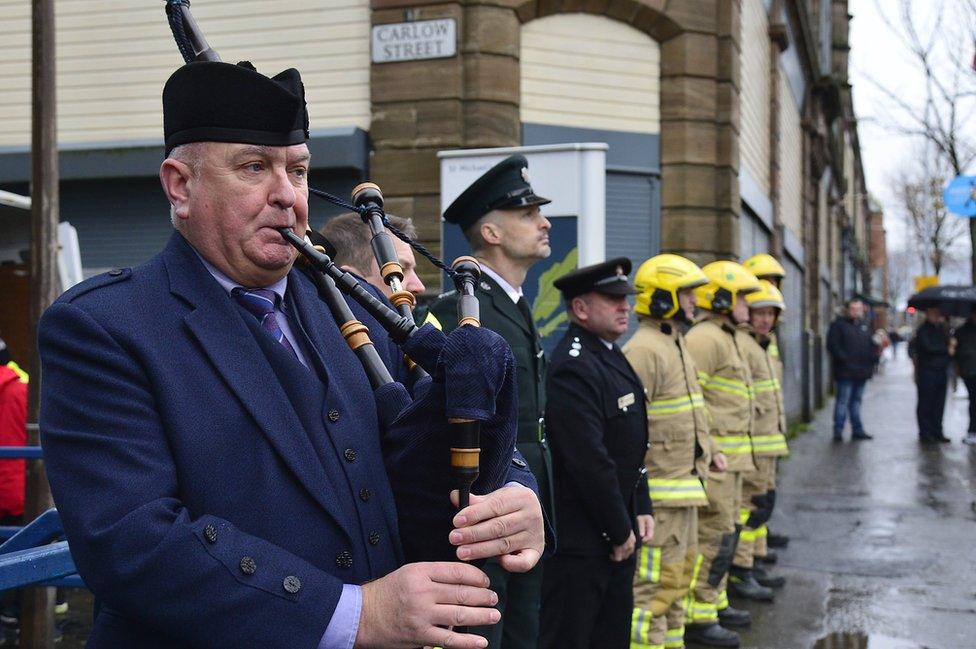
506	186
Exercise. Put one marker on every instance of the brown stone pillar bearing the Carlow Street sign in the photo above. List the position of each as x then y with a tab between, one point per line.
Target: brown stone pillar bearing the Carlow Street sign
421	107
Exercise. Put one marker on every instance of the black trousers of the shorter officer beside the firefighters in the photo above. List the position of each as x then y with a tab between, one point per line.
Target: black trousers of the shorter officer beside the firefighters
587	603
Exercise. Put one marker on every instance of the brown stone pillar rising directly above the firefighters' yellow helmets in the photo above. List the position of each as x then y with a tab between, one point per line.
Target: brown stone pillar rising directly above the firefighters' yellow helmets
700	84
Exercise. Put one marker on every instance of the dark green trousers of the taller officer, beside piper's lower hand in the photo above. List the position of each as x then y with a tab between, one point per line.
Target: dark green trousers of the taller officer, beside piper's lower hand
519	598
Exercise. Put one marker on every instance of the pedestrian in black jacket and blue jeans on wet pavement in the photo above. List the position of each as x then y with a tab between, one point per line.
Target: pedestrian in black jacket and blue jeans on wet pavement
853	354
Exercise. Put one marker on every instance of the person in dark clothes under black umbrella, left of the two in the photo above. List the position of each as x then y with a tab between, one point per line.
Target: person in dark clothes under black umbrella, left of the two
931	350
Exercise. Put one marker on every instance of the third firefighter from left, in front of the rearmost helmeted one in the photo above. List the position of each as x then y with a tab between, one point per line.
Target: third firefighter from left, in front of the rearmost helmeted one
768	443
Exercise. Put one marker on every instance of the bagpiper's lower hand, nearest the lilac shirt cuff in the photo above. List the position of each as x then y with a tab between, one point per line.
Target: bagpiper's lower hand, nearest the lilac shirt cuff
413	606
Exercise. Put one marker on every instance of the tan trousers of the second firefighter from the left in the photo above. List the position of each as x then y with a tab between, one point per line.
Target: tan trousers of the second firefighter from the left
716	547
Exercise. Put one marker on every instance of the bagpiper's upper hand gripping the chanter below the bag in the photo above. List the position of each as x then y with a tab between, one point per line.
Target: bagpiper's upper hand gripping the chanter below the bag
506	523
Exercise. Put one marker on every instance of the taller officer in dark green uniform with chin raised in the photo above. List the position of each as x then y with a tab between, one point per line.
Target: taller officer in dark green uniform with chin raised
499	215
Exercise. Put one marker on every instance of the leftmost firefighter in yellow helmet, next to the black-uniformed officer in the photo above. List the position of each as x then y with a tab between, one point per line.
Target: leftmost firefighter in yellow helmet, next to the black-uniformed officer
679	454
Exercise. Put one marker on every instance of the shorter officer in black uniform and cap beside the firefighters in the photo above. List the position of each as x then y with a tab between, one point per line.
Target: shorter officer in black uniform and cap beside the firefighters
598	431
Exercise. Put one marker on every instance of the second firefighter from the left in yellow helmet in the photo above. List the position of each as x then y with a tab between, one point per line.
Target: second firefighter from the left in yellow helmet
715	347
